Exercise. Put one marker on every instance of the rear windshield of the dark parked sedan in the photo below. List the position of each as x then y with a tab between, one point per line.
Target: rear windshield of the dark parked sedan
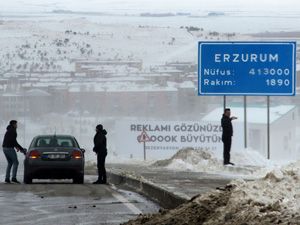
55	141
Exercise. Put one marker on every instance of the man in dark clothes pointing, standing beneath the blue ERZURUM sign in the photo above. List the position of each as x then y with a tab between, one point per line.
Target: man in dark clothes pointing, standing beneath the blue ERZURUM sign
227	135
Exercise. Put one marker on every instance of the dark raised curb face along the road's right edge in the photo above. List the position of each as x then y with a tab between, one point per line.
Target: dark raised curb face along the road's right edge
164	198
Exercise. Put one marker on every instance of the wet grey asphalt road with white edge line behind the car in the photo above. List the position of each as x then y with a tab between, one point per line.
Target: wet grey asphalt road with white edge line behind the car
66	204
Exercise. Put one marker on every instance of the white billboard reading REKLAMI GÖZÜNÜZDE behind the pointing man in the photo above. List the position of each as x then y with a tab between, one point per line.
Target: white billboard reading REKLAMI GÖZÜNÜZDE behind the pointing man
167	137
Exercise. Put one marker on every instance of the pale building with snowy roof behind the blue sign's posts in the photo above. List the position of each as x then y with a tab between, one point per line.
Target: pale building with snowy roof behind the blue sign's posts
282	129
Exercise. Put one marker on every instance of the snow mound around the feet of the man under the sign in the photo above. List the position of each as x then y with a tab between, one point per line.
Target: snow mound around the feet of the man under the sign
247	162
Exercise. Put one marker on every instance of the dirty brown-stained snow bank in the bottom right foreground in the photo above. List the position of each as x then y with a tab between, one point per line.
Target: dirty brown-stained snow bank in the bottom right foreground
274	199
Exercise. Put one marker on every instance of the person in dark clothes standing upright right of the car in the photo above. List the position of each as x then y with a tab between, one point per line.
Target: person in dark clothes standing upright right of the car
101	151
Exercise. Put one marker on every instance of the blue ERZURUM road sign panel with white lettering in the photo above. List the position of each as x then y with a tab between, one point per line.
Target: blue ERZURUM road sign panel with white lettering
247	68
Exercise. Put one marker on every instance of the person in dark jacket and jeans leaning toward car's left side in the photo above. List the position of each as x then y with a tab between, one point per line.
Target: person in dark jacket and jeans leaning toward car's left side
9	145
